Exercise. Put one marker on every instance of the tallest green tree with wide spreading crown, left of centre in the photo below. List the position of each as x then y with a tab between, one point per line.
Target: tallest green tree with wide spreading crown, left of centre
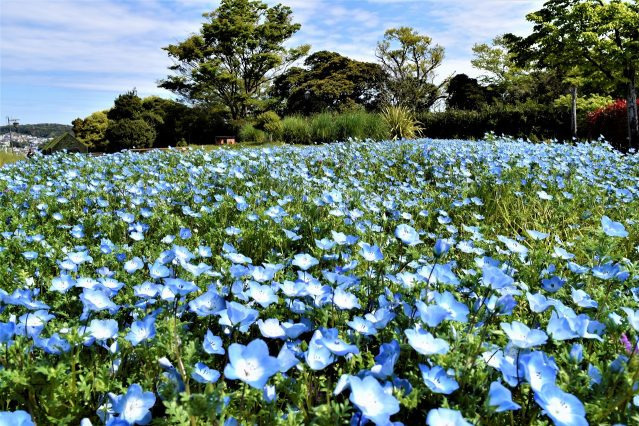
238	51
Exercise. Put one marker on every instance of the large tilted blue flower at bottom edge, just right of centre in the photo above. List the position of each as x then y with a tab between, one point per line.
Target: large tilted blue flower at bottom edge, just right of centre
371	399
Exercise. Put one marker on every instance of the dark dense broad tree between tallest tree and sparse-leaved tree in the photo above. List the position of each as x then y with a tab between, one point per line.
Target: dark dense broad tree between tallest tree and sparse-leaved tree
330	81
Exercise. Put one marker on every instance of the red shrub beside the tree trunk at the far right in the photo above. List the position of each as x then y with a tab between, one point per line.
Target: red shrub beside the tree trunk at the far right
611	122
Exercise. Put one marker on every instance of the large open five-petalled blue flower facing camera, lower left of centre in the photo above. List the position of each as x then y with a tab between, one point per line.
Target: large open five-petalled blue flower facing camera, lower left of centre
251	364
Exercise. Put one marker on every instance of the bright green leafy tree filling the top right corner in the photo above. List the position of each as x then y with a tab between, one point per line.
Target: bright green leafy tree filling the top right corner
589	36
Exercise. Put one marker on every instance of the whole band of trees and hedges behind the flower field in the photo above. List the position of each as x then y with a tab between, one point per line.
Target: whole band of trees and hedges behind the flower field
236	77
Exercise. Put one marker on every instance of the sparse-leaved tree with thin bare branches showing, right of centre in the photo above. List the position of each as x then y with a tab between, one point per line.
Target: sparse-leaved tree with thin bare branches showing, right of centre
411	61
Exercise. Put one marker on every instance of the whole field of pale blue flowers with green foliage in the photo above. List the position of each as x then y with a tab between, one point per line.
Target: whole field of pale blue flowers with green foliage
422	282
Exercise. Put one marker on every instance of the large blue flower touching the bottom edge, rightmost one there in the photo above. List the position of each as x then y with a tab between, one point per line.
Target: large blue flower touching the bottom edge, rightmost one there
563	408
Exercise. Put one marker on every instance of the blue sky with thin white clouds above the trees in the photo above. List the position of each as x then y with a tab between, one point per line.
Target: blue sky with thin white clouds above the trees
62	59
